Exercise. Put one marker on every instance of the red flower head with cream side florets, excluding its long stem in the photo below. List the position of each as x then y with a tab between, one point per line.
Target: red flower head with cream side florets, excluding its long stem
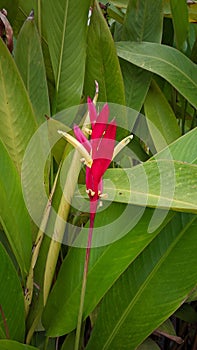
99	151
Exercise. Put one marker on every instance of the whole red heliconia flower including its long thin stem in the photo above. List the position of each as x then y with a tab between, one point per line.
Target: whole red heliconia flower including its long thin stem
97	153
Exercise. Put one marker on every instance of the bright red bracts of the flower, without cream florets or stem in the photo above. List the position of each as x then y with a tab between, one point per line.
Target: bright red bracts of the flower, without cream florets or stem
100	146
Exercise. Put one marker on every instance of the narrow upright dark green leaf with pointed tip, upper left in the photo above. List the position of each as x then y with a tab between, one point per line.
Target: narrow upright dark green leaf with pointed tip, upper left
29	59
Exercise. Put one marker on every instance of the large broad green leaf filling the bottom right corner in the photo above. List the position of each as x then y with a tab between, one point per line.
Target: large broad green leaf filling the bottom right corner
151	289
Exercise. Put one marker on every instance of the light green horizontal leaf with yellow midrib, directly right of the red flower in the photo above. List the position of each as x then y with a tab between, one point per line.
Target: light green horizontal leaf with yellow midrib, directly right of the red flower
162	184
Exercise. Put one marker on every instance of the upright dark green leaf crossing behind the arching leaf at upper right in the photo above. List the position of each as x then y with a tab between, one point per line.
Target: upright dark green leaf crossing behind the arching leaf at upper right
143	22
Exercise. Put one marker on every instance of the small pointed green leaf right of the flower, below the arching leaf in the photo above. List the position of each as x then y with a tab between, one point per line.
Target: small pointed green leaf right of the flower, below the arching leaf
161	115
